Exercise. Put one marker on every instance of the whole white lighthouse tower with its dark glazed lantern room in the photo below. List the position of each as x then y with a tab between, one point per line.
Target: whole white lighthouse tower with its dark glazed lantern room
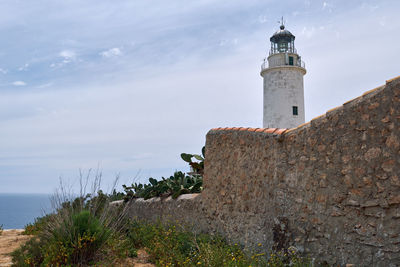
283	83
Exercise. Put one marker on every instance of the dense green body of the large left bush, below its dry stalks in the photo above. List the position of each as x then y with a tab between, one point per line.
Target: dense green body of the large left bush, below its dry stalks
77	238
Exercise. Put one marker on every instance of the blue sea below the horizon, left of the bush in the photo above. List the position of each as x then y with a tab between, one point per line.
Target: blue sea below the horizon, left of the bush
17	210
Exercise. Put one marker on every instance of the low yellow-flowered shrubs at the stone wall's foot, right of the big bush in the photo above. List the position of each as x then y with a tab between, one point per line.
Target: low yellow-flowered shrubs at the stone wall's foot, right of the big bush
169	246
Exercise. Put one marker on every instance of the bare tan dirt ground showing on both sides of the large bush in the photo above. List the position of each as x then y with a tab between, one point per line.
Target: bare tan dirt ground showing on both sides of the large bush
10	240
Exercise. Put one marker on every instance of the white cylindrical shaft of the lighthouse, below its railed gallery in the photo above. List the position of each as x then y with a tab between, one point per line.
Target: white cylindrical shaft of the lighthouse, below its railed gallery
283	89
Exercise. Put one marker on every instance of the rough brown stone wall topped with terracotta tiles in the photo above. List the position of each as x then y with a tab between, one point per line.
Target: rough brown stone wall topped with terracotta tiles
330	187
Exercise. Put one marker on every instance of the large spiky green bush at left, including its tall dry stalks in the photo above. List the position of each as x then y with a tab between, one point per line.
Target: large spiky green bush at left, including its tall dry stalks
82	232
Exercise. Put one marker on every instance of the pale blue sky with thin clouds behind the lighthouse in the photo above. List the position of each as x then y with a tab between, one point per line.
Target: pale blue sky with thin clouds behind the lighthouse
124	87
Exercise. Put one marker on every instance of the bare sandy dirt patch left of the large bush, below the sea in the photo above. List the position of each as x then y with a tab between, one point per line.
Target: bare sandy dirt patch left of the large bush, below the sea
10	240
